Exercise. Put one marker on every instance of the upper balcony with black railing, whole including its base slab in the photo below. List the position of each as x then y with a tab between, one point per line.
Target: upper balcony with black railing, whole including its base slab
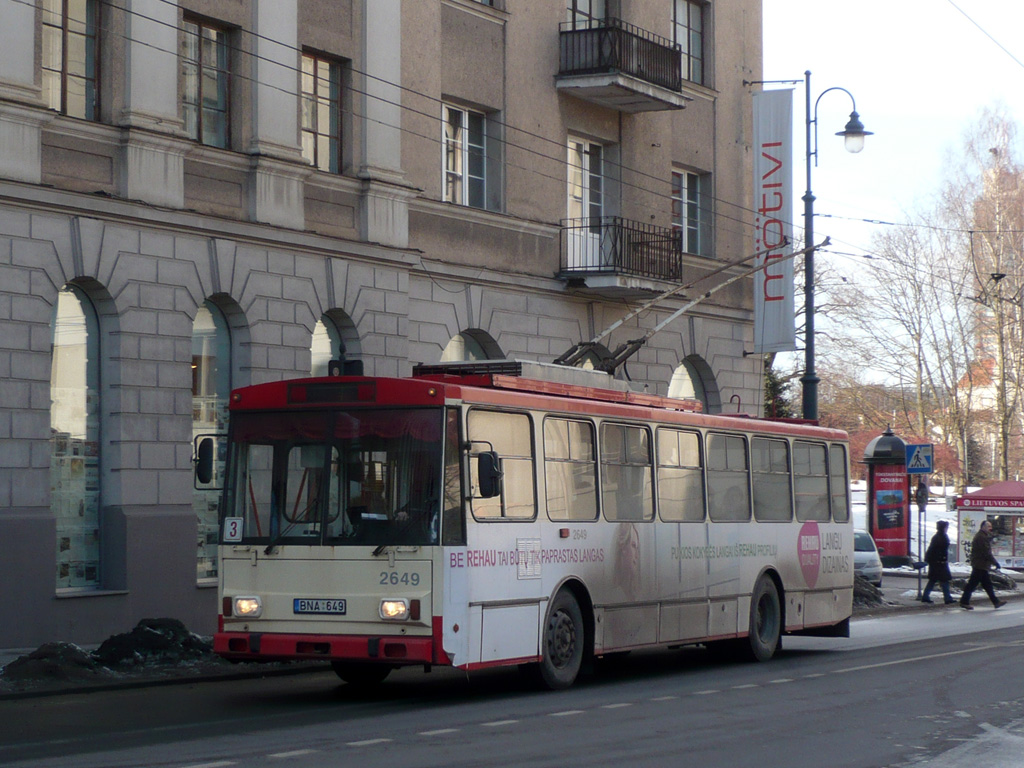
621	67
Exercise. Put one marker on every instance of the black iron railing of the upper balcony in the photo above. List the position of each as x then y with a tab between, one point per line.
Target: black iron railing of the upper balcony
613	46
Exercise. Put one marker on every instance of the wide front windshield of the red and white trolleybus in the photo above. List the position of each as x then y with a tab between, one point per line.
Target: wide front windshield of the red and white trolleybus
361	478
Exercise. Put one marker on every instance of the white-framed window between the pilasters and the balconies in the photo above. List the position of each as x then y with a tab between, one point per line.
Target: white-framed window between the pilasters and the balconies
465	157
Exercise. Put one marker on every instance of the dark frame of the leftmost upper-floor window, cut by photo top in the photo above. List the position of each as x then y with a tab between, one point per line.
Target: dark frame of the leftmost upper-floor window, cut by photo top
91	75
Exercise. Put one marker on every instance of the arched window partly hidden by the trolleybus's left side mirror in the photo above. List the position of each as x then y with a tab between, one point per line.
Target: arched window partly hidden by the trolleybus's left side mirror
211	390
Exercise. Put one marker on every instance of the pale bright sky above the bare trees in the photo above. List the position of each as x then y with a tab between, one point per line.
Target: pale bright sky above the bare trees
921	71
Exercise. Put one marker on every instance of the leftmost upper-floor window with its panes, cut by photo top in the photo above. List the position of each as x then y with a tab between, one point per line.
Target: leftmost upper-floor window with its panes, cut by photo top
71	57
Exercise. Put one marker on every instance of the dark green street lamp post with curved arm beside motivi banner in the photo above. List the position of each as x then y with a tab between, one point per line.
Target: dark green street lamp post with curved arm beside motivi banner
854	136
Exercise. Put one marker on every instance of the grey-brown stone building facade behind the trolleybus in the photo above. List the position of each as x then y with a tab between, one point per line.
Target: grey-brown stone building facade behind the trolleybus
200	195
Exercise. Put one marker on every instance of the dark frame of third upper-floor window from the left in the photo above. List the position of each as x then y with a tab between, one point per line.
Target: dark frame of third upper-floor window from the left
332	103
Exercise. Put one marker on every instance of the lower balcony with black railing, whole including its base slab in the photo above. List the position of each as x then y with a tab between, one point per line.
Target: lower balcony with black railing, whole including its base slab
613	257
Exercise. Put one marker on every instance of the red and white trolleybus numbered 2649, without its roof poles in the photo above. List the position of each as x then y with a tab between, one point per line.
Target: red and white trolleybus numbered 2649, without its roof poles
475	517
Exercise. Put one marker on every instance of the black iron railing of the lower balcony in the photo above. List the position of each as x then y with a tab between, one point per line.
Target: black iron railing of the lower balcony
616	246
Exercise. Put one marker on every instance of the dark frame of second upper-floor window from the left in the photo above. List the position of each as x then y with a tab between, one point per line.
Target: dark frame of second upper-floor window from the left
224	80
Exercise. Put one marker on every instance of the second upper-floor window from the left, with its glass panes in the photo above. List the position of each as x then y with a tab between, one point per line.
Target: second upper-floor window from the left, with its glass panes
206	81
